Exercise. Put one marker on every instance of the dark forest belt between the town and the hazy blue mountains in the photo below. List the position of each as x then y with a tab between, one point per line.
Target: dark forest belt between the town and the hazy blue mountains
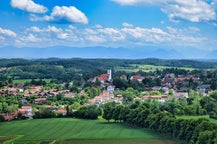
65	69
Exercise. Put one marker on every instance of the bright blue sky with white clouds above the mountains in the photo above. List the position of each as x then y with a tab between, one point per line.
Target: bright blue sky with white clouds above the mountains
169	24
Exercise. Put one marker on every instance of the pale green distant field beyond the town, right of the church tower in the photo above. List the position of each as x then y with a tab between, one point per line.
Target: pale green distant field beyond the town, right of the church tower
146	68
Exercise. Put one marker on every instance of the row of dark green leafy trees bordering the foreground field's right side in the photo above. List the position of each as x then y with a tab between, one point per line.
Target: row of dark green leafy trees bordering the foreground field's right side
194	131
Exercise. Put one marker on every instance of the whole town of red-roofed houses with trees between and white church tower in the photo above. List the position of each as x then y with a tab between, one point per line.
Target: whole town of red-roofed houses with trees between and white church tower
24	100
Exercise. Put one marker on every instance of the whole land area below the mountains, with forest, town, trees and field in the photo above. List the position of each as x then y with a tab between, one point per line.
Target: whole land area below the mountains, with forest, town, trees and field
61	94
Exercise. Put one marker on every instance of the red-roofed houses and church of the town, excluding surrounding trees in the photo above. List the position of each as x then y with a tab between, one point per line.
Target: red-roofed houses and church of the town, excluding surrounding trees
171	86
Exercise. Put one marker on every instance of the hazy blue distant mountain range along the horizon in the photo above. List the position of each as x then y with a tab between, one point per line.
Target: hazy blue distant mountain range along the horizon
103	52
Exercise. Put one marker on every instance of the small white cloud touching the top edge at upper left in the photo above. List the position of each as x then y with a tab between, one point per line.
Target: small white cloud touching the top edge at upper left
29	6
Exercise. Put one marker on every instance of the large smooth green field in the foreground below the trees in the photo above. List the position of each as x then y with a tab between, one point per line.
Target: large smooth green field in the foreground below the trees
67	130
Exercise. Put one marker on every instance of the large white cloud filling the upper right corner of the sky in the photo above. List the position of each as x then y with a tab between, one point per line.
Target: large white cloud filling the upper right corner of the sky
191	10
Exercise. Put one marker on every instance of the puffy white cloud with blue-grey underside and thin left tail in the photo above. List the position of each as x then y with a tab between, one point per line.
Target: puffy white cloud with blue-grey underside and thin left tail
63	14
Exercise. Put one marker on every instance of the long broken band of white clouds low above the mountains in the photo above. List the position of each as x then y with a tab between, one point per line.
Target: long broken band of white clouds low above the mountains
127	35
